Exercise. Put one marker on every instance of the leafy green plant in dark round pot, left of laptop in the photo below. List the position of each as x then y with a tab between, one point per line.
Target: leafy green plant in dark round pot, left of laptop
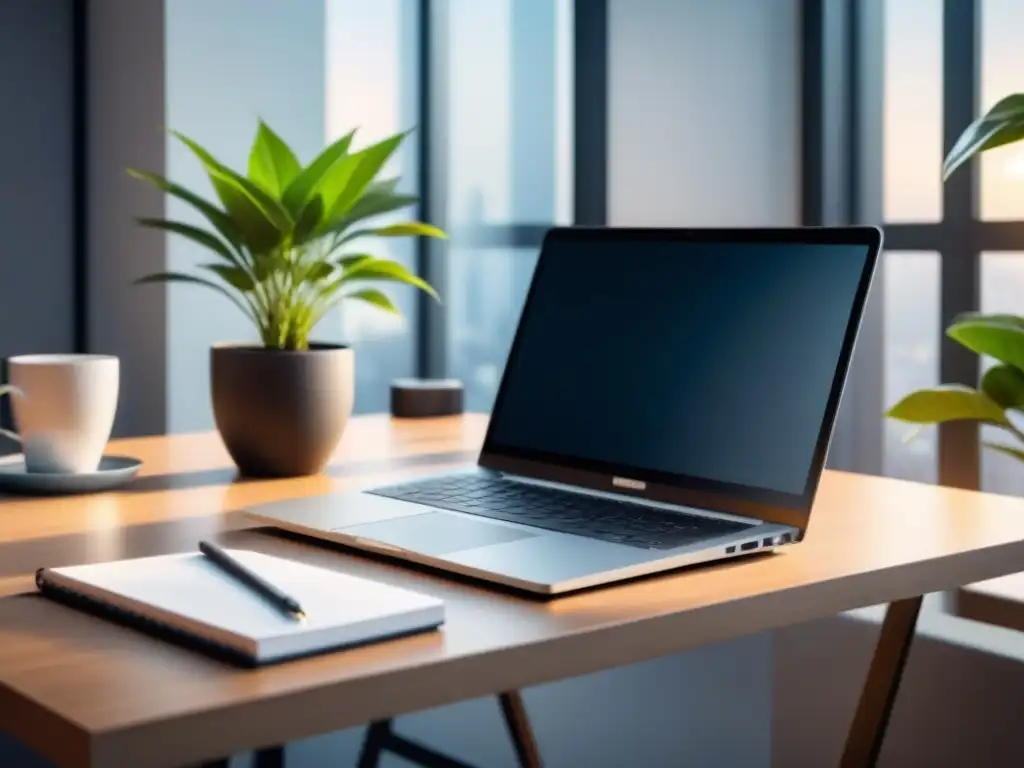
289	243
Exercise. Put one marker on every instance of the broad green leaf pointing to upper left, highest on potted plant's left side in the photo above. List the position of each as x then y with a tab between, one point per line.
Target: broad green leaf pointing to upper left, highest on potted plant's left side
262	221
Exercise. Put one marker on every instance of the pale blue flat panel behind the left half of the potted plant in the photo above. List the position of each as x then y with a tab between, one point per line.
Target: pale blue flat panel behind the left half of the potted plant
270	64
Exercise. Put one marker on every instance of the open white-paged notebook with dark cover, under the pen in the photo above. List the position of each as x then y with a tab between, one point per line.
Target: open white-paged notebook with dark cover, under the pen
188	600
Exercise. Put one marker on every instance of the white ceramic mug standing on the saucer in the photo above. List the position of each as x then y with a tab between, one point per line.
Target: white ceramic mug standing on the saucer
64	409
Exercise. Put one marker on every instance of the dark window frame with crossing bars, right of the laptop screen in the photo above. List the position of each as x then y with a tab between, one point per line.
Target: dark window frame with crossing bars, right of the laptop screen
842	49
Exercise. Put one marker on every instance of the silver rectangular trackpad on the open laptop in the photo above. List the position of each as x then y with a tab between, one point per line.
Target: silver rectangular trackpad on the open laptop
437	533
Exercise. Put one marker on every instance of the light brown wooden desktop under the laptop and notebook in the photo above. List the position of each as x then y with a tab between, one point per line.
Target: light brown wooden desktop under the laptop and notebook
88	693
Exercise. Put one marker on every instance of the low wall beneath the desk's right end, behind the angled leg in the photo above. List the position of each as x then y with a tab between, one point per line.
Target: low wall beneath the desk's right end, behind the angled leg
959	706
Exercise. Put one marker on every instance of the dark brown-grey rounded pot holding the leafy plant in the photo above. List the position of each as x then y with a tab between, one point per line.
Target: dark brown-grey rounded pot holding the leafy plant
281	414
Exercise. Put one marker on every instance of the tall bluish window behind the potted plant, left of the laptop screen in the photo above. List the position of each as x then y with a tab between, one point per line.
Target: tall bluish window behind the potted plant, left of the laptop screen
489	90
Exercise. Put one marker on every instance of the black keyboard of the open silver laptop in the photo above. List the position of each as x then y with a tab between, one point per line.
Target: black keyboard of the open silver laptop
593	518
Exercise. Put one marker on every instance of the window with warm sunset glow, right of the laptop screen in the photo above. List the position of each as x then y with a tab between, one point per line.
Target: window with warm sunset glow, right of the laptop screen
923	71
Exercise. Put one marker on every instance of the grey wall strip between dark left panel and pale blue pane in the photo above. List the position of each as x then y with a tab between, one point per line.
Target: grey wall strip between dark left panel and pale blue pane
125	114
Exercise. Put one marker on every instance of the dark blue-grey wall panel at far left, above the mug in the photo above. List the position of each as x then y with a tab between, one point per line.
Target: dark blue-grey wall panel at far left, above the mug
36	222
